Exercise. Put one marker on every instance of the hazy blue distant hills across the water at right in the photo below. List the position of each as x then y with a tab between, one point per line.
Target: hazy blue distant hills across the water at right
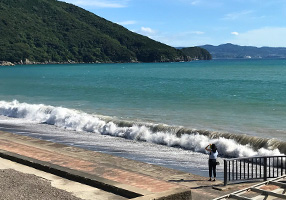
230	51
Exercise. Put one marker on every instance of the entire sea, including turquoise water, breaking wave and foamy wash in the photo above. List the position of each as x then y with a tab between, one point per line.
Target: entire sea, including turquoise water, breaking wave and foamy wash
159	113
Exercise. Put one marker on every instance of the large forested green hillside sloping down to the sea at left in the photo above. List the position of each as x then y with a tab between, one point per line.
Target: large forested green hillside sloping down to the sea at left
49	30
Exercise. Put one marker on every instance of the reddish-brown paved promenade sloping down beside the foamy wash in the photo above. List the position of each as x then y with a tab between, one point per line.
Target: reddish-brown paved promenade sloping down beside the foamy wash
91	168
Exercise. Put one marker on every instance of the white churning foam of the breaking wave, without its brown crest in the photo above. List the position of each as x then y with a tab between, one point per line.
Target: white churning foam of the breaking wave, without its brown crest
80	121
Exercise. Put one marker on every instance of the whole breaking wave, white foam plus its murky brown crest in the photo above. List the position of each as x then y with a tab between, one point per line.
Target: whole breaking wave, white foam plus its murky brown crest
229	145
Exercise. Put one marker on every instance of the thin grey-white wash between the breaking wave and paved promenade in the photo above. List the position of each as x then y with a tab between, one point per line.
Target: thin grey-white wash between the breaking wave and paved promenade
116	146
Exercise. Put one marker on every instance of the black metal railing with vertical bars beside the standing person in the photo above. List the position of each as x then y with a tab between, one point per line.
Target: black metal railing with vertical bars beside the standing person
251	168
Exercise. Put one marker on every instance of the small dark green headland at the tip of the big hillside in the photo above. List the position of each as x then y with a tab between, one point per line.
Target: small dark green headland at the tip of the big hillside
196	53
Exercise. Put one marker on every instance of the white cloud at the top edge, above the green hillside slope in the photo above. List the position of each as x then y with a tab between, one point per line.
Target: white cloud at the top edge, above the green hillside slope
99	3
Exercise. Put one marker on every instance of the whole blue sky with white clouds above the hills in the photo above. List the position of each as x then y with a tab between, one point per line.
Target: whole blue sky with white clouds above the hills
186	23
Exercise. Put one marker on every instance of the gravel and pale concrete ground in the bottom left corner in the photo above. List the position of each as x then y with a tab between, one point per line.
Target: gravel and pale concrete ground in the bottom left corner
22	182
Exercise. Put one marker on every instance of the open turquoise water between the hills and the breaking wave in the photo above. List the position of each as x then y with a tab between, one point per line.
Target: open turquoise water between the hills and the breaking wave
235	96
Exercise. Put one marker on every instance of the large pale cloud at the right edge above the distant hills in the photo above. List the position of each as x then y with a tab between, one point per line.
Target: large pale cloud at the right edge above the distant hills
267	36
